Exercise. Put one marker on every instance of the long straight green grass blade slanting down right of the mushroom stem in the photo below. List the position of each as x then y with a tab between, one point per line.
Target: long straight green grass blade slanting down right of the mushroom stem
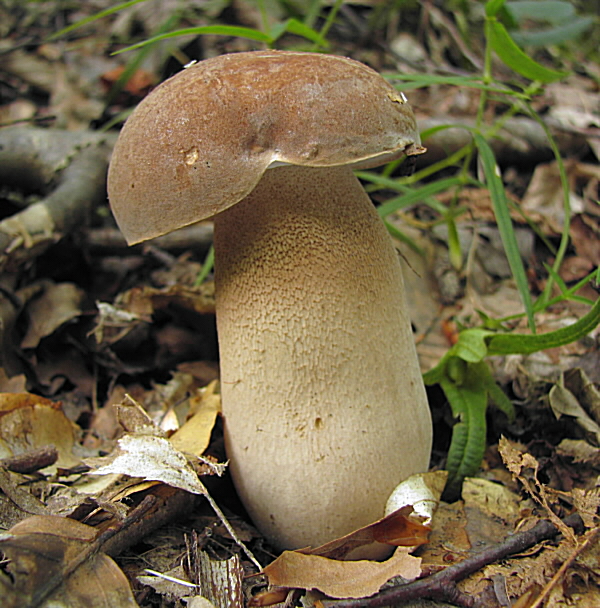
505	227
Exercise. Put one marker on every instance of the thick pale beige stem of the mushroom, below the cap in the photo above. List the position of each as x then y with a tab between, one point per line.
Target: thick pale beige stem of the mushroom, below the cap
324	405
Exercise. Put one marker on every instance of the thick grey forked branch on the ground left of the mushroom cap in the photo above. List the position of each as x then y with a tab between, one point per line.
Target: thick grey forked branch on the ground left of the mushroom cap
70	165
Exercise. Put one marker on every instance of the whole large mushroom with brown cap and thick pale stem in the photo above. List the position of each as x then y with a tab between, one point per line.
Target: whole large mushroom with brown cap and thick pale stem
324	407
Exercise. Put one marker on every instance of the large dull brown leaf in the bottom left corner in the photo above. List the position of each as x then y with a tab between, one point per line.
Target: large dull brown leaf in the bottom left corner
50	564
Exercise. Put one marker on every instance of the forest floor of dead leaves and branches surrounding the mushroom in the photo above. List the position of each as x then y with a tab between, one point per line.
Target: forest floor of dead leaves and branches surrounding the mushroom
108	350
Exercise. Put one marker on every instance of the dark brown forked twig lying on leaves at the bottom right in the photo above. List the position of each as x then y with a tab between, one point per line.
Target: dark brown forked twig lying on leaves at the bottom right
442	585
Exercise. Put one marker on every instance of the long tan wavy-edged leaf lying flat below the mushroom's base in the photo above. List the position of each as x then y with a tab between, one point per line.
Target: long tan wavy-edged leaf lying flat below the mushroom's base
340	579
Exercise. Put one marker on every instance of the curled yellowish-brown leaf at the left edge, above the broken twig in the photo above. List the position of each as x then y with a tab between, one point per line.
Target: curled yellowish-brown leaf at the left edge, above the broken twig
28	421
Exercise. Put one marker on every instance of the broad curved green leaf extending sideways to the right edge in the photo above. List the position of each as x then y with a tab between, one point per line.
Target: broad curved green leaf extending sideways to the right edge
507	344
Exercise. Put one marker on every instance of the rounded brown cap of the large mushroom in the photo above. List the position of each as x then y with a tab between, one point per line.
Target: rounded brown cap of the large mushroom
201	141
